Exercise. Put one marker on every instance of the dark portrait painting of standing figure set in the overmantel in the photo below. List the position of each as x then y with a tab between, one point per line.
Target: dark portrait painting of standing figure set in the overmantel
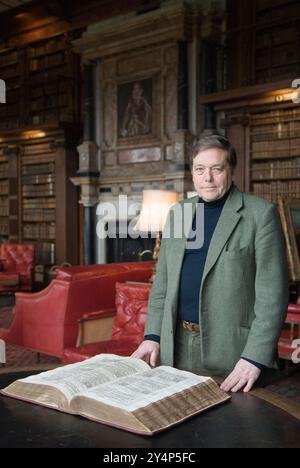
135	108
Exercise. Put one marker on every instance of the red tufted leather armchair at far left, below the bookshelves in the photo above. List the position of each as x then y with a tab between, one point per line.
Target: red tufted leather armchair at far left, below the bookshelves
16	267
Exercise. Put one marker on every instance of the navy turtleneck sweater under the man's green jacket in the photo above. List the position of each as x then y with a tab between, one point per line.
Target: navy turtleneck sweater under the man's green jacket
194	262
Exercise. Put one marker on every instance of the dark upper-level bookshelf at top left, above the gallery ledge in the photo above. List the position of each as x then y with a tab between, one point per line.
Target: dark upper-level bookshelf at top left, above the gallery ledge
42	84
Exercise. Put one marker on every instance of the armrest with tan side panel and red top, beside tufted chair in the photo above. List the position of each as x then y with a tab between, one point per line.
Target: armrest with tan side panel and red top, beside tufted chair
95	326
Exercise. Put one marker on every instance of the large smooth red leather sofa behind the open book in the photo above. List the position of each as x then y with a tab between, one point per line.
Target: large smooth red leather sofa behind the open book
47	321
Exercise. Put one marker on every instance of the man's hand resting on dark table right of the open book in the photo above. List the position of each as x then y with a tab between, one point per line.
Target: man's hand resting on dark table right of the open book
244	375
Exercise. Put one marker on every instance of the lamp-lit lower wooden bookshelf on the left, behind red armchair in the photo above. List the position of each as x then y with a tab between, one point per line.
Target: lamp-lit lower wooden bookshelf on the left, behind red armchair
38	202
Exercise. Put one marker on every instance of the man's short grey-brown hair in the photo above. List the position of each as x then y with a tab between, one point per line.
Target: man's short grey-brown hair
214	141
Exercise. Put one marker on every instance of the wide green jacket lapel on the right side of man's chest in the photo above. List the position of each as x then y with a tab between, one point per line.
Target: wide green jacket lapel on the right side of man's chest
228	220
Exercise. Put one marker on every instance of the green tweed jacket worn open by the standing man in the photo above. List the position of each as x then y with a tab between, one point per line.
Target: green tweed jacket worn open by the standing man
244	289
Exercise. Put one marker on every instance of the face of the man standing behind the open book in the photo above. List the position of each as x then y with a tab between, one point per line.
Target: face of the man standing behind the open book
212	175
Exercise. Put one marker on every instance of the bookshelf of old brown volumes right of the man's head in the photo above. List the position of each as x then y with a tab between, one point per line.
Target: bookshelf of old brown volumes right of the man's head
275	154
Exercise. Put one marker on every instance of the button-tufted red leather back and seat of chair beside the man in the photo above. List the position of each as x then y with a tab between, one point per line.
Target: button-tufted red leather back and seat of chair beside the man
128	326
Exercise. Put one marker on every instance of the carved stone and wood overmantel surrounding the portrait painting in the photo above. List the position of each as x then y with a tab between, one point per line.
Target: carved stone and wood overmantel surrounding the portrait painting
154	55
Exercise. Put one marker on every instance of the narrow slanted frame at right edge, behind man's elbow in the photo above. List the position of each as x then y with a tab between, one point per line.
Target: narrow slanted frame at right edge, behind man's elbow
291	230
